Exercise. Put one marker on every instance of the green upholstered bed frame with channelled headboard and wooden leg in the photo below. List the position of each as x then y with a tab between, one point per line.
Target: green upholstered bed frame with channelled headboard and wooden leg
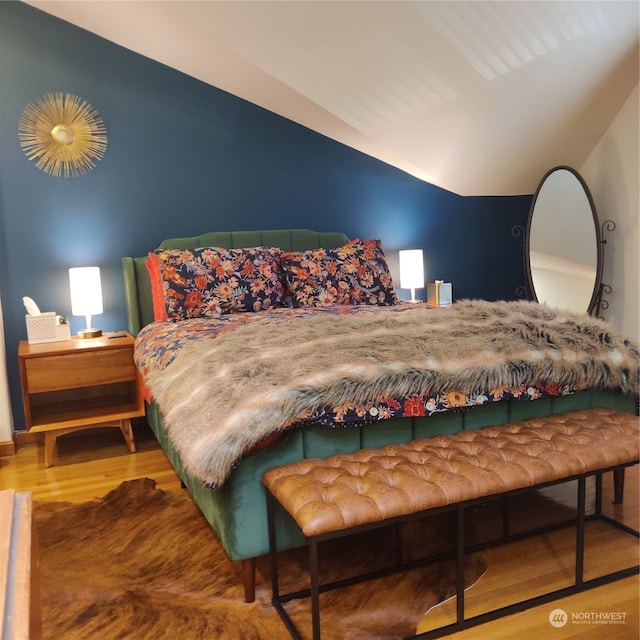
237	510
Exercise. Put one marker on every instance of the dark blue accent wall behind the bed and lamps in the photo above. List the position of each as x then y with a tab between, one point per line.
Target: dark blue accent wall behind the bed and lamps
184	158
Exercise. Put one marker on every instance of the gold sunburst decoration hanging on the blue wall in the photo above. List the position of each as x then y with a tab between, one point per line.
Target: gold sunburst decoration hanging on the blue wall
63	134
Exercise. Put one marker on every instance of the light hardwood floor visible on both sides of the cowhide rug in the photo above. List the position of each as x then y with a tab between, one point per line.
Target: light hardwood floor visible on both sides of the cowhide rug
90	464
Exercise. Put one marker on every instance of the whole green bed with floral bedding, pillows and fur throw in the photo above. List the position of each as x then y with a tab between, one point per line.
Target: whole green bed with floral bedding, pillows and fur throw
211	334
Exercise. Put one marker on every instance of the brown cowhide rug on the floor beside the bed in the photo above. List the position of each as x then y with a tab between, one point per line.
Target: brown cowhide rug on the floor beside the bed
143	564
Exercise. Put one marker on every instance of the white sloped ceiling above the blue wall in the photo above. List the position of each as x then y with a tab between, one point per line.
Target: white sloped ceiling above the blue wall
479	97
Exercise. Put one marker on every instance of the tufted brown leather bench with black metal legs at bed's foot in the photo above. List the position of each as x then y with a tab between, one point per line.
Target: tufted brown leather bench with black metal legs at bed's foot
349	491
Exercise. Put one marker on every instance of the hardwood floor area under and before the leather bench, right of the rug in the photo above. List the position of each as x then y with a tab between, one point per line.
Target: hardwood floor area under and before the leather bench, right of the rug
535	566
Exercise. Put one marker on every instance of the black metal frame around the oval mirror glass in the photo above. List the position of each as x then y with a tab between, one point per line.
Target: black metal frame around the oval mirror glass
596	298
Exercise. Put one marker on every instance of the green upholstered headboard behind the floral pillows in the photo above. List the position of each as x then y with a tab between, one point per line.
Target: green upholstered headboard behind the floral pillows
137	288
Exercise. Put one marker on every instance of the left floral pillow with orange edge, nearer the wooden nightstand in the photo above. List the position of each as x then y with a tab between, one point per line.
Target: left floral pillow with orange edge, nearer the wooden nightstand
212	280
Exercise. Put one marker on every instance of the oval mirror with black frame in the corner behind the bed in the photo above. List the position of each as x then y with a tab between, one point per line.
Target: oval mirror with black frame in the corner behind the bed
563	258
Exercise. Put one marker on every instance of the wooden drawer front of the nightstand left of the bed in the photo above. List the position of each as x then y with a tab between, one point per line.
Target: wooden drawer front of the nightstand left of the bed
70	371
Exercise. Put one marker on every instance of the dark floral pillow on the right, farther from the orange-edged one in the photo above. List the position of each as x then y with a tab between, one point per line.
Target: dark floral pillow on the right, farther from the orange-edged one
356	273
